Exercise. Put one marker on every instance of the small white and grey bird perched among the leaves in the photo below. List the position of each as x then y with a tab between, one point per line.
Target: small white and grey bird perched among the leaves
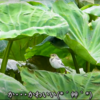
56	63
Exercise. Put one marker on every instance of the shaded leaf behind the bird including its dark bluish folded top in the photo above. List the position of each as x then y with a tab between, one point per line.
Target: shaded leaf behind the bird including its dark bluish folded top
48	46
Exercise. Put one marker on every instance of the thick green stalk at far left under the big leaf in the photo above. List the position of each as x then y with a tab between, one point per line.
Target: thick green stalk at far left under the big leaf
5	56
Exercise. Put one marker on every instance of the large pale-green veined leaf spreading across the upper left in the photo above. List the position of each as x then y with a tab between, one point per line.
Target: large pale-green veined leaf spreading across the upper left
21	19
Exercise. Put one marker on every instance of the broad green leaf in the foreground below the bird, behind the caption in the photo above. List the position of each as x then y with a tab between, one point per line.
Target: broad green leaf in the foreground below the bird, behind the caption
44	81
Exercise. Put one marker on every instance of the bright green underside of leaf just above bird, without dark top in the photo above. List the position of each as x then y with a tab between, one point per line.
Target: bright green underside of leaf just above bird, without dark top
45	50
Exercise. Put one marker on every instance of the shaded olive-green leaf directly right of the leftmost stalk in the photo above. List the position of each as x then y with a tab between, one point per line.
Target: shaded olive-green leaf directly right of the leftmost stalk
19	46
